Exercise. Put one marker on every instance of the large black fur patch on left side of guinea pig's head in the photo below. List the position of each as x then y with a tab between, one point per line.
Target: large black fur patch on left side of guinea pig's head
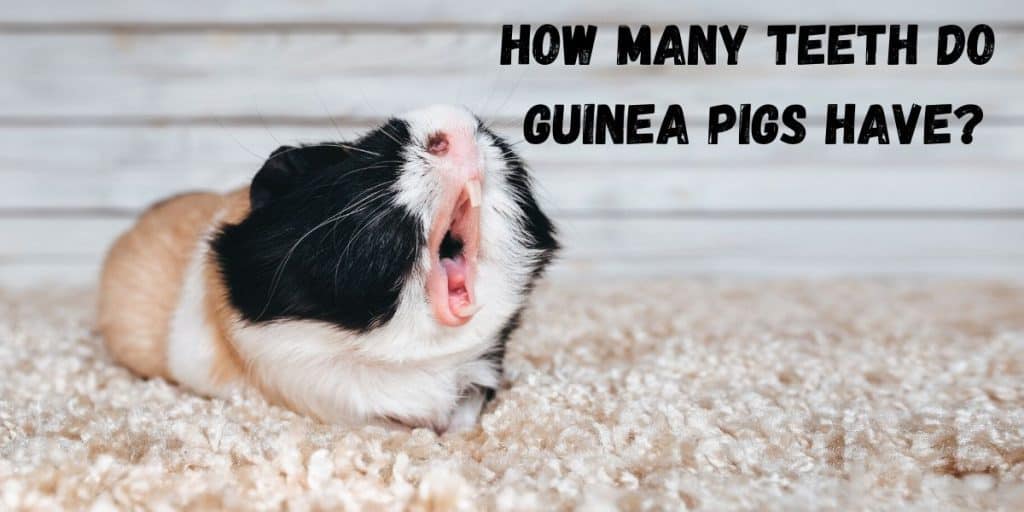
325	240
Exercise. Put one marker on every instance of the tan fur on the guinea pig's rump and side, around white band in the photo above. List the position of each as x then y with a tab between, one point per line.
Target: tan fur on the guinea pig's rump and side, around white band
144	275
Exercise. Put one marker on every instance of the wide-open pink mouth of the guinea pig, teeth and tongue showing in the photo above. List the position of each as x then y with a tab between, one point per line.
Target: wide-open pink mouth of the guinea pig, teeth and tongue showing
454	243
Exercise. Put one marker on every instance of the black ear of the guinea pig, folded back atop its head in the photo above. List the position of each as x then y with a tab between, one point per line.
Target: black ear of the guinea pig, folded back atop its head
287	167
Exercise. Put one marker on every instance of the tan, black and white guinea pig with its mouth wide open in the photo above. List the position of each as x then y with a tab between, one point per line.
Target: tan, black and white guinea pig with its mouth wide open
375	281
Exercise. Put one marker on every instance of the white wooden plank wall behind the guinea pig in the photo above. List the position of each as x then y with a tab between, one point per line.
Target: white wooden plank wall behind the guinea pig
108	106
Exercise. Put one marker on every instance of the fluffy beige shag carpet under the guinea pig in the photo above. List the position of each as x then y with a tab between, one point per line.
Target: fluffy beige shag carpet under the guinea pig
696	395
